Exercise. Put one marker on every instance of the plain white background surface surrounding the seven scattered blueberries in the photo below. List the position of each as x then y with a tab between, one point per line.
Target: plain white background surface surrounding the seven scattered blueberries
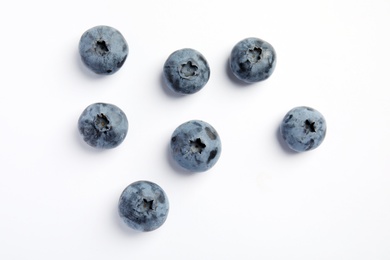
58	197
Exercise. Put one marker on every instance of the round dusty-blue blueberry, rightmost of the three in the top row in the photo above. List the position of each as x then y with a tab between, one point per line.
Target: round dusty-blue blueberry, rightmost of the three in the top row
252	60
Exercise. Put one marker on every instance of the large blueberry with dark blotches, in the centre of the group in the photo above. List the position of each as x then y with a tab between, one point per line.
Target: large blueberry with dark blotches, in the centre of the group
195	146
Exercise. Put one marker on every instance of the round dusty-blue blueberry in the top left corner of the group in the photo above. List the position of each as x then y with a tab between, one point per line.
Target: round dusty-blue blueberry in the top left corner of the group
103	49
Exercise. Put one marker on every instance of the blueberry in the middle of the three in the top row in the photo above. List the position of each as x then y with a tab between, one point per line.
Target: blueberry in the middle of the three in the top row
186	71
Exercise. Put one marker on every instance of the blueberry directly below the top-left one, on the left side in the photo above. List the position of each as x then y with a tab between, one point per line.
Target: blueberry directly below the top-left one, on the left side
103	125
